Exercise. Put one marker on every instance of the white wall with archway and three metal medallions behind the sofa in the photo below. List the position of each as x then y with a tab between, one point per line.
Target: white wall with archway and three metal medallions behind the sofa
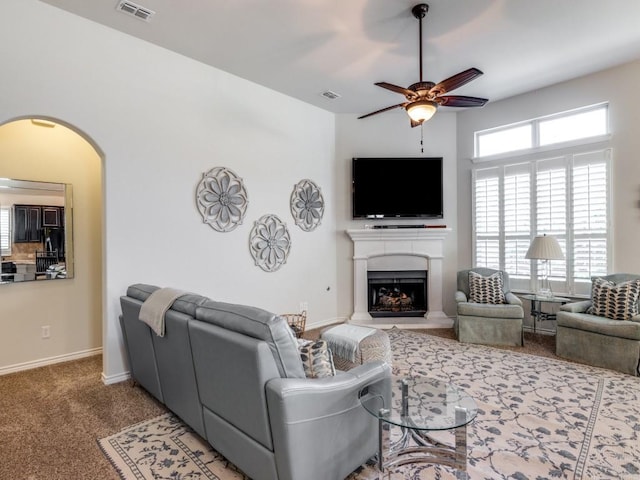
162	120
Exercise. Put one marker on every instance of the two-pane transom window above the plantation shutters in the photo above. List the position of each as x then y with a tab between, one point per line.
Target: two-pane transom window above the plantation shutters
538	133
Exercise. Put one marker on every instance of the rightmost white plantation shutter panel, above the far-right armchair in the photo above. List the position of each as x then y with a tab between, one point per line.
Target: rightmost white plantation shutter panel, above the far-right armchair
590	185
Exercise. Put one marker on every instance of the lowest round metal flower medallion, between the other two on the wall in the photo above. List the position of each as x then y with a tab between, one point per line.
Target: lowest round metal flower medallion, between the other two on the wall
269	242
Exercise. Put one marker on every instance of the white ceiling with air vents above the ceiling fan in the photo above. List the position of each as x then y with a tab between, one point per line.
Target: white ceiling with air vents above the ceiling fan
305	47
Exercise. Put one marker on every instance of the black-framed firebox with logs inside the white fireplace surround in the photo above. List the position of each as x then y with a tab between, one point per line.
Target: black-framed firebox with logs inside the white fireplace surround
397	293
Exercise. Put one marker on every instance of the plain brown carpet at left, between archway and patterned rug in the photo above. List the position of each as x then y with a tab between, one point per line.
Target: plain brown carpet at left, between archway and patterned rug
50	418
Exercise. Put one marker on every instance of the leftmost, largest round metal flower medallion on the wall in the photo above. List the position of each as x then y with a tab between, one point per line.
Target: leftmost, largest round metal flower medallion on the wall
222	199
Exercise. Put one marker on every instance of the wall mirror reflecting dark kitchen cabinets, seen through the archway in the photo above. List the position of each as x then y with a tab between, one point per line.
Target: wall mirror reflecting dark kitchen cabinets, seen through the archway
36	231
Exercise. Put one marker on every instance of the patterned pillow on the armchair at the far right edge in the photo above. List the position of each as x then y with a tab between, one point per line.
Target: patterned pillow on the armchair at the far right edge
618	302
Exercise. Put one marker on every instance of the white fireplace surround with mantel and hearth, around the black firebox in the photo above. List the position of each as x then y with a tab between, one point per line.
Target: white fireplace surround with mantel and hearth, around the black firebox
397	250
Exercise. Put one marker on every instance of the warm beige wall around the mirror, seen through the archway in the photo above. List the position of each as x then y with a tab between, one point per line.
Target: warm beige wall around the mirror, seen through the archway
71	307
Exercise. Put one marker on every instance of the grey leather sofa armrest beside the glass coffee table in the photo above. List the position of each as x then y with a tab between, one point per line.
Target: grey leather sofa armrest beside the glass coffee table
319	425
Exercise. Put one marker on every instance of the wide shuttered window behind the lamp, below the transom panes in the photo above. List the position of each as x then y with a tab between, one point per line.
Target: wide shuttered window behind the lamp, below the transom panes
564	196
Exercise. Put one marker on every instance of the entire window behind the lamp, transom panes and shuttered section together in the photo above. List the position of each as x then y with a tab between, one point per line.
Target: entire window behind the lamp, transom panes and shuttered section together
548	175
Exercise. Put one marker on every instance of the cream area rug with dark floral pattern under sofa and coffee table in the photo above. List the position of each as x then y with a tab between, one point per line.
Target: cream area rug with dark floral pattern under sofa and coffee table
538	418
